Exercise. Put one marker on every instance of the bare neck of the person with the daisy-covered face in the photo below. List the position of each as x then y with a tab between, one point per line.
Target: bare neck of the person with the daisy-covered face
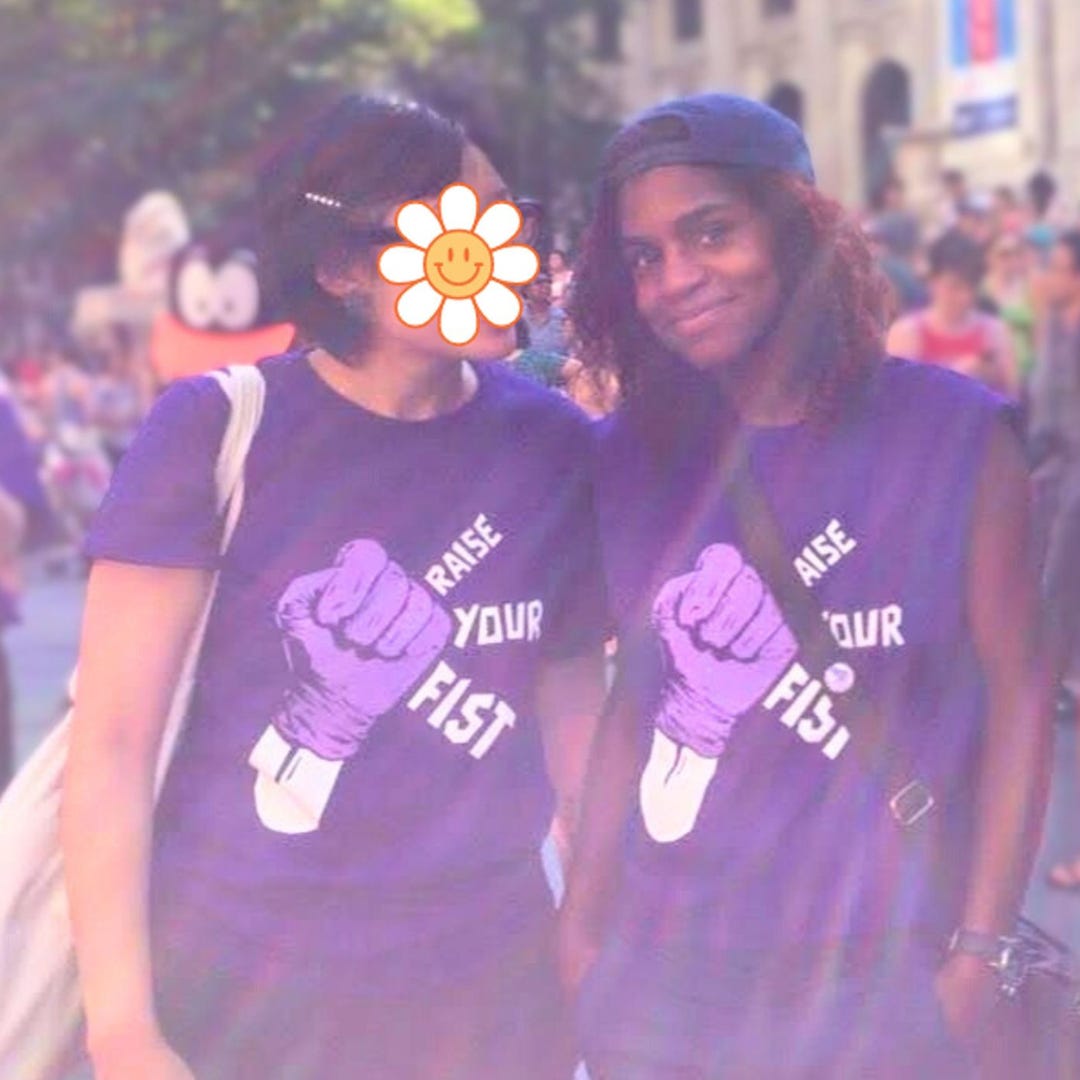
399	386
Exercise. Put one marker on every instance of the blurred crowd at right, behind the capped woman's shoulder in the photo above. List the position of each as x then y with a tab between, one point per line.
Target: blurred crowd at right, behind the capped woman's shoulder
989	285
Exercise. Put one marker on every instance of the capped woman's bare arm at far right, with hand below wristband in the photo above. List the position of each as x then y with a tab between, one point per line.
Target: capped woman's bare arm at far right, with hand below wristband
1015	769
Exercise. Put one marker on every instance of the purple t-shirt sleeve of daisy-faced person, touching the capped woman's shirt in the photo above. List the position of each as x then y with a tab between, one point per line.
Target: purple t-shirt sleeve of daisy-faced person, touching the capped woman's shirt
578	618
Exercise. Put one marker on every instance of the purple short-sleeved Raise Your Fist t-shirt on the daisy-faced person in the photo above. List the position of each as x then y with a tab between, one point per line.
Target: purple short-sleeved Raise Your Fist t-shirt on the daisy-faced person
383	612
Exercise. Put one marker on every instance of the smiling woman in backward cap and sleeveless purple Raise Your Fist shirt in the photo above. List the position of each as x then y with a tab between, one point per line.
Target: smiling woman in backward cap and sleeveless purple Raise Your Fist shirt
753	895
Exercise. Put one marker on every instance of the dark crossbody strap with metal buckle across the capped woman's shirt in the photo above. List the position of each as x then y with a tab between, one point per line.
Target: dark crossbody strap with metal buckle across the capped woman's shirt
910	800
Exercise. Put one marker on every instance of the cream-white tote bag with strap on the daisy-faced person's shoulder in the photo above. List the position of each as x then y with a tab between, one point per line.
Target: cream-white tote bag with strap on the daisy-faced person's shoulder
40	1010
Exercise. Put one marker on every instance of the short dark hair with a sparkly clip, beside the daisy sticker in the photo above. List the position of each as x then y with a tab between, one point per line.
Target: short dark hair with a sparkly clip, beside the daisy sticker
359	159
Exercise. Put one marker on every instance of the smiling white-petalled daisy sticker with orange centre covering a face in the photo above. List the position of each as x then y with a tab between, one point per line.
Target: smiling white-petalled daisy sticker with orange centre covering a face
458	267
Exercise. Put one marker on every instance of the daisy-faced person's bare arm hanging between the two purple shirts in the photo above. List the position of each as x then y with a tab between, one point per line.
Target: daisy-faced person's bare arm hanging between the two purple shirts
570	701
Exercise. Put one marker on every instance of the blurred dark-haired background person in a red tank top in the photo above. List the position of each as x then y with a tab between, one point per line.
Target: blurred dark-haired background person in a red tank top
951	331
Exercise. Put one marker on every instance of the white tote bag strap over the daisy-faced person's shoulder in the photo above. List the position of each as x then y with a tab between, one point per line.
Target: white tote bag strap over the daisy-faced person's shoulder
246	388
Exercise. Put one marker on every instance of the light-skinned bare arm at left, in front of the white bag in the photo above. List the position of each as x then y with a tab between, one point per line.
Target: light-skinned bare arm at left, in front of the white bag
137	630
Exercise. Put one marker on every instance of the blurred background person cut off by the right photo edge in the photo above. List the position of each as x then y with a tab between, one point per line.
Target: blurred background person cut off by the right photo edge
1055	427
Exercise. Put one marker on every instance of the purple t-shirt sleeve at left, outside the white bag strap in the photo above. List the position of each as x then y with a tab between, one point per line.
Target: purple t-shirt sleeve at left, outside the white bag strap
161	506
